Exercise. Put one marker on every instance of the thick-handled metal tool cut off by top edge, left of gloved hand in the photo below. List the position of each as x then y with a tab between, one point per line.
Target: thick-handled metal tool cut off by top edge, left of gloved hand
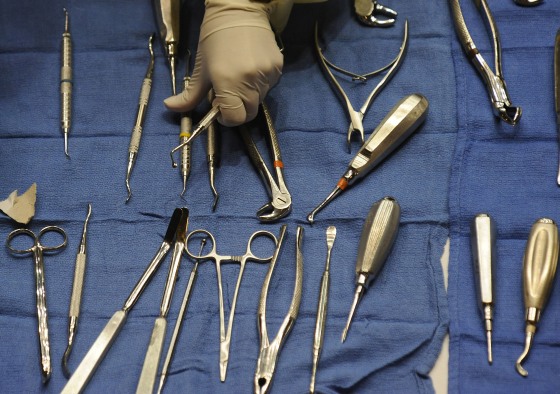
167	14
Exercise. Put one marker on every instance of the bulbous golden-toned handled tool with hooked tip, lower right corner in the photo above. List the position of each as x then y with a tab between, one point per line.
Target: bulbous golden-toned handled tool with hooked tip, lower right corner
539	268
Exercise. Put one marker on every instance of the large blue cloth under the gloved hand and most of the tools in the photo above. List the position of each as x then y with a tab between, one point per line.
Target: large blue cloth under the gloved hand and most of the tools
398	328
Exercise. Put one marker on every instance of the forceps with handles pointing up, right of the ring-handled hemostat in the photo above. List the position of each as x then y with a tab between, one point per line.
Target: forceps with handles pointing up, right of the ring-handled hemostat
268	354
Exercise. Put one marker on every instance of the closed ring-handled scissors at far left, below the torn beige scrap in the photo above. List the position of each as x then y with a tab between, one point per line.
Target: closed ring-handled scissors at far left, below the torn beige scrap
37	250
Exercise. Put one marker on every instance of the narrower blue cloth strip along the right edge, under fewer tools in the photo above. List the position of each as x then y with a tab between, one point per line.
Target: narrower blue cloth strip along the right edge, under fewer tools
510	173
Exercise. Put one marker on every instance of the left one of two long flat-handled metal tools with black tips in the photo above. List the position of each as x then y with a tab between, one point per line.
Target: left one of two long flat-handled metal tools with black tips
104	341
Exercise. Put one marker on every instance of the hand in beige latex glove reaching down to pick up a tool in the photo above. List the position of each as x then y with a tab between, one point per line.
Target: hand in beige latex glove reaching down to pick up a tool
237	56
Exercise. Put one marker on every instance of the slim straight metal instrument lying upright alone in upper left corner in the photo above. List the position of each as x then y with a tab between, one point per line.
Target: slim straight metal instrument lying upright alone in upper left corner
66	83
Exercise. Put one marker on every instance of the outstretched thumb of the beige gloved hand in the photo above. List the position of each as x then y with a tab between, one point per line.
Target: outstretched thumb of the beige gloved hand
190	97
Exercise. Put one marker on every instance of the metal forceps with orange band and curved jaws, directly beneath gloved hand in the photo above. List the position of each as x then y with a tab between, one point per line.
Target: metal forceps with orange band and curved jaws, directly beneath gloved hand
281	203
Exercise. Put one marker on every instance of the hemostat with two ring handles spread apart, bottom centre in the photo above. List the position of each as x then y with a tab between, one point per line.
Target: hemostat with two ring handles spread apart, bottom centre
225	336
